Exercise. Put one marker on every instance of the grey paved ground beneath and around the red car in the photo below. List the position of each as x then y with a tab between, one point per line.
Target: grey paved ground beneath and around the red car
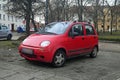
105	67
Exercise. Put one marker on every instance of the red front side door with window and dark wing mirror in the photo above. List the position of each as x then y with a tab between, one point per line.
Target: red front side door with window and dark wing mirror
76	40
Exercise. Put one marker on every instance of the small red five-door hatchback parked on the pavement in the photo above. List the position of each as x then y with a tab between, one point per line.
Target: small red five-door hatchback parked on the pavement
58	41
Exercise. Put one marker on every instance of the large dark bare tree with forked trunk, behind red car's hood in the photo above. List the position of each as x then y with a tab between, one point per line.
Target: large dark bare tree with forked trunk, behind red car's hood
25	9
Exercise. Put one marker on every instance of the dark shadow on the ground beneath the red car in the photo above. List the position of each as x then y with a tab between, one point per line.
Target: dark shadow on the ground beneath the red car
69	62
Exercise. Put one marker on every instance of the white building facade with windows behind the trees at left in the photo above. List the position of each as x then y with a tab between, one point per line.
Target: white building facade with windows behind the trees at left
9	20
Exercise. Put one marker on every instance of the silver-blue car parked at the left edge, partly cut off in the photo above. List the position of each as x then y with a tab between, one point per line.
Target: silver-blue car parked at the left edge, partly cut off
5	32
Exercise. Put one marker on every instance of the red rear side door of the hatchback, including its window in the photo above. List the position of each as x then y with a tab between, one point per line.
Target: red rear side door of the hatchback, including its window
91	37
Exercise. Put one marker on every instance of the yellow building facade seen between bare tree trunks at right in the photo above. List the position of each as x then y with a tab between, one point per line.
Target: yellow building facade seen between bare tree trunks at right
107	21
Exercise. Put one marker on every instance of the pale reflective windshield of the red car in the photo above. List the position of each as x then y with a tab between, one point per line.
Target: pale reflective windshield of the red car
55	28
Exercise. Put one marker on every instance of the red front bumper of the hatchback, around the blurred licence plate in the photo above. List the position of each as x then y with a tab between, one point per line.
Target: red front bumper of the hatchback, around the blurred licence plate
39	54
